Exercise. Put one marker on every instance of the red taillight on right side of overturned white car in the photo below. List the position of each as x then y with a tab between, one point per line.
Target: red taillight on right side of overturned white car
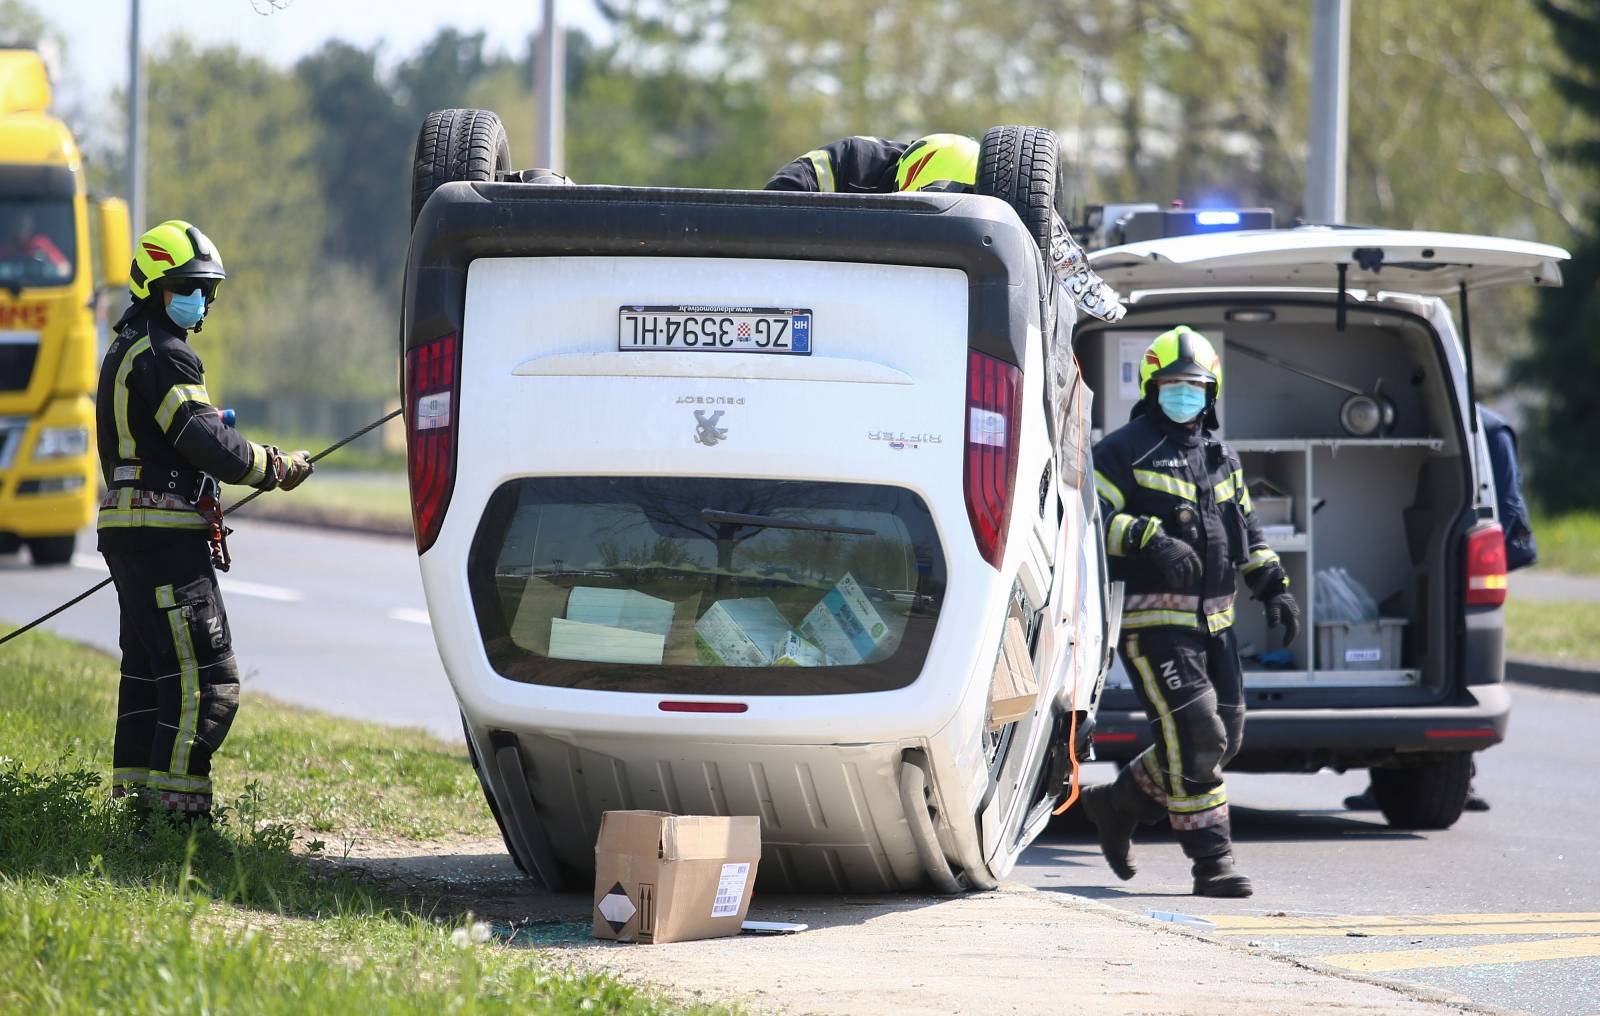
991	450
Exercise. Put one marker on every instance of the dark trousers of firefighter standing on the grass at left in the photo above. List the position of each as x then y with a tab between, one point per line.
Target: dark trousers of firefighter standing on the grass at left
180	682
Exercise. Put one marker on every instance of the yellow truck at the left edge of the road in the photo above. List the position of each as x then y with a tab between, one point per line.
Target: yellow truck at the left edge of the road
49	350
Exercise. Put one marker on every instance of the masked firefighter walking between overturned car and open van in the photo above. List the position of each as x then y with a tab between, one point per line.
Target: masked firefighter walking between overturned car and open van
1178	532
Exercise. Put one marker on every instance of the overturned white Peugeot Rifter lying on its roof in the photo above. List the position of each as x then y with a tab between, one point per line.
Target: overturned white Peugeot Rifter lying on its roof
726	503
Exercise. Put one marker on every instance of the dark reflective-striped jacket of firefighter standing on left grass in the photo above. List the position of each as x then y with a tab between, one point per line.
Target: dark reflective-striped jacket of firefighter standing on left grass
161	438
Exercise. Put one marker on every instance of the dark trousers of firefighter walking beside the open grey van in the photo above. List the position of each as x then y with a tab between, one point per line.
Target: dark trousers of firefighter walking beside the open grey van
1193	692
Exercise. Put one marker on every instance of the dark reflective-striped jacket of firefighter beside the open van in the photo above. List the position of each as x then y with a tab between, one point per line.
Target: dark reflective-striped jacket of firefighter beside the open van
1154	476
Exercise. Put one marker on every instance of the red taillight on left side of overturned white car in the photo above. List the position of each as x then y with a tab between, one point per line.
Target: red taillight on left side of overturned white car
433	391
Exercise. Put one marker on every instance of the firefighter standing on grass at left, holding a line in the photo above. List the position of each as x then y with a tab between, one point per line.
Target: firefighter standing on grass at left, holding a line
162	450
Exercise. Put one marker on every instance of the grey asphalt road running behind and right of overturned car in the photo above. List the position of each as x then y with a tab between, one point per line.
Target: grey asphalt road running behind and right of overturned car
1505	908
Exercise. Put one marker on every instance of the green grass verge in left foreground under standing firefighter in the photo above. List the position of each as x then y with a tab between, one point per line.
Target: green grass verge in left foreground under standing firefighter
110	911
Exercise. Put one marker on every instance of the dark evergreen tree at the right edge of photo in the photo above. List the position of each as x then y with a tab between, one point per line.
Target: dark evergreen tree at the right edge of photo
1566	359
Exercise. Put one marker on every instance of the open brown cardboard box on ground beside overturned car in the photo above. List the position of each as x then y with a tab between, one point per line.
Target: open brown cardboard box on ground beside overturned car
674	878
